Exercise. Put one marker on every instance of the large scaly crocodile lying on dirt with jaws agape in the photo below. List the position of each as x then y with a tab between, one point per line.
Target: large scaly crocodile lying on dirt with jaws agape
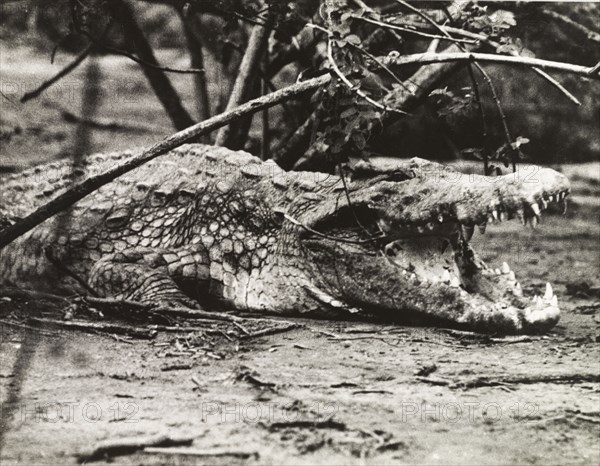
204	226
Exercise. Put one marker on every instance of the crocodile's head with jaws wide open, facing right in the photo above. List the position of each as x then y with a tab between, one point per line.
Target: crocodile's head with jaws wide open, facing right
402	248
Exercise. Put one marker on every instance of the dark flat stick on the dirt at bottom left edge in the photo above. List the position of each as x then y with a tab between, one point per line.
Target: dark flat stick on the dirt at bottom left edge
124	446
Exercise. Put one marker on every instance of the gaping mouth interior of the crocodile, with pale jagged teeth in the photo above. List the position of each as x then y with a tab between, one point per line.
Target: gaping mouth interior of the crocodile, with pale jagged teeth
438	254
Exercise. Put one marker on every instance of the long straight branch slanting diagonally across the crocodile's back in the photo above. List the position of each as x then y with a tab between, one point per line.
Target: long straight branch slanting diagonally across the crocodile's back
82	189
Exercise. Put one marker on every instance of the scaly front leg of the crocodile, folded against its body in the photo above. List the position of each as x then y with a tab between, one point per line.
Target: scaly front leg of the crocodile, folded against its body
150	276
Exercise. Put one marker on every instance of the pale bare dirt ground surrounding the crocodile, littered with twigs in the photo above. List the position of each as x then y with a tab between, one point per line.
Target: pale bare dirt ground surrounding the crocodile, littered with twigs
322	392
